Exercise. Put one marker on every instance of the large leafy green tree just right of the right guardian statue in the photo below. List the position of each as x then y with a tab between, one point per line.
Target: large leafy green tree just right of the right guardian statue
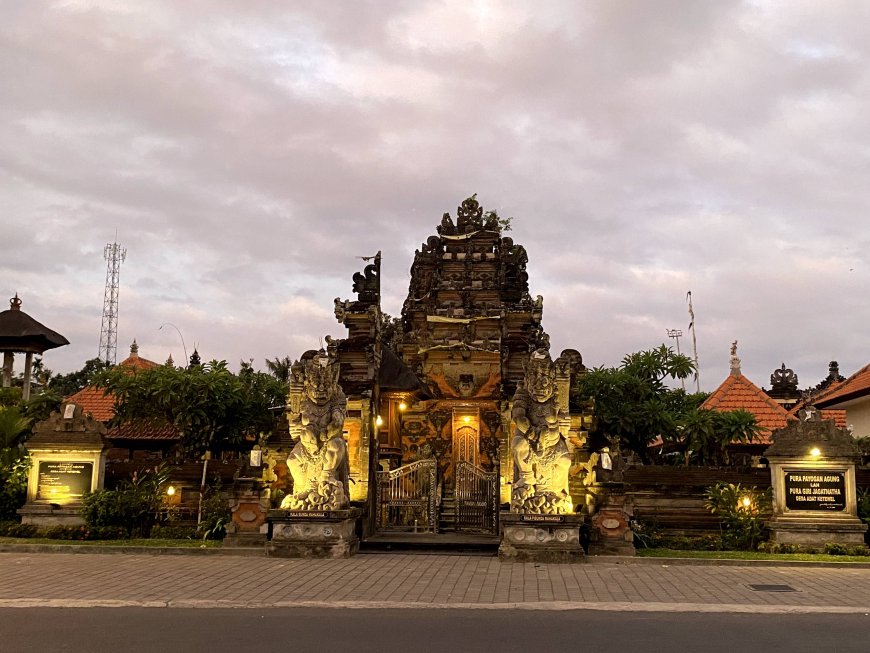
632	402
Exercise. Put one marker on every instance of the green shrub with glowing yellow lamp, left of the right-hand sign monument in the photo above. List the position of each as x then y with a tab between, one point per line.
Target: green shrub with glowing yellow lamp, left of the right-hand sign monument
741	511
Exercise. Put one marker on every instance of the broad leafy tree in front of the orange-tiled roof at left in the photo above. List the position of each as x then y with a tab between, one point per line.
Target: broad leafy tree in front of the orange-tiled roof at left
212	408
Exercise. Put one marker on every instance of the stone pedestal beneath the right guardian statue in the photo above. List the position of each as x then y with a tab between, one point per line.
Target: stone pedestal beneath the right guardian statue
540	538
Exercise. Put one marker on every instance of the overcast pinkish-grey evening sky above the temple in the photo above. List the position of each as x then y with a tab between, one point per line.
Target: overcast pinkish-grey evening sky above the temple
246	153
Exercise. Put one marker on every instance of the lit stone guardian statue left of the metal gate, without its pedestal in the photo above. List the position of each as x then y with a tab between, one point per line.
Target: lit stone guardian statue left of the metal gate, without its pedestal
318	463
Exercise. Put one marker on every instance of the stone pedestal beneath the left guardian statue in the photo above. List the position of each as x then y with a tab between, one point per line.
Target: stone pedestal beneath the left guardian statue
313	534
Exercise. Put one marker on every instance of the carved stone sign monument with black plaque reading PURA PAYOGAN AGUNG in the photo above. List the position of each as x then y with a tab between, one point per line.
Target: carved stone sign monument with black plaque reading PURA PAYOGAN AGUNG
812	466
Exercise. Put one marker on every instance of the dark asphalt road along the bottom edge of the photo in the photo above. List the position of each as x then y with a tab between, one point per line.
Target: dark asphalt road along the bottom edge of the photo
103	630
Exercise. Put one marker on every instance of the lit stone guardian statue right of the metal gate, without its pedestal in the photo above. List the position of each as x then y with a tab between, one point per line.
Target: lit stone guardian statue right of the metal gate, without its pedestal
540	452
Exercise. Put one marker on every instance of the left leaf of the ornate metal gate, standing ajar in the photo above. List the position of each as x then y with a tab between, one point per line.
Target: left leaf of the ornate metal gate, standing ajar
406	498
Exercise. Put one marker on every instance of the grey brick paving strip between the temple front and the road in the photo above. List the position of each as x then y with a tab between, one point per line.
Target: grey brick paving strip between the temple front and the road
398	580
